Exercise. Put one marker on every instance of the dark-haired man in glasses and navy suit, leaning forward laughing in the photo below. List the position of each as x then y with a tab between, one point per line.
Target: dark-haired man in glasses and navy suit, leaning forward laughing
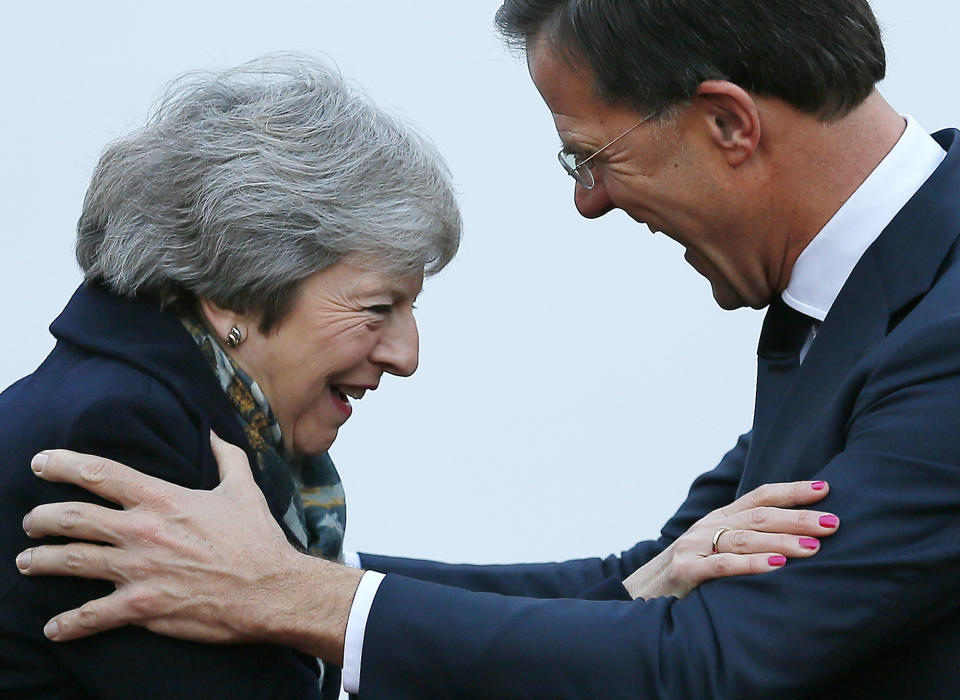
751	133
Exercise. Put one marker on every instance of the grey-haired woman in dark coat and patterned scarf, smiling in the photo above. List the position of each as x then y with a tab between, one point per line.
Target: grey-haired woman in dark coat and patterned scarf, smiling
252	257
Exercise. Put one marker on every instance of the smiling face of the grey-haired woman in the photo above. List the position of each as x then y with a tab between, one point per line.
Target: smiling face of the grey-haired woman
347	327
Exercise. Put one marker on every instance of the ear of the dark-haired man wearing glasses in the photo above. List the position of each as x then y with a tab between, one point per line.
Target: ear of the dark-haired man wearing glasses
733	120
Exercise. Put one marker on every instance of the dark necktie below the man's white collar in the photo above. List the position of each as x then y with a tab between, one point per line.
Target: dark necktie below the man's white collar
784	332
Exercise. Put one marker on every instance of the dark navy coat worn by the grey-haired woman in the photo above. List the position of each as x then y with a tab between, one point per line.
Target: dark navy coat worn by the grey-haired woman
126	382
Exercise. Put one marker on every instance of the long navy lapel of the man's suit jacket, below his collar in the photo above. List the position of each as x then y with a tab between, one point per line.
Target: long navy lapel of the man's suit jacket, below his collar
895	271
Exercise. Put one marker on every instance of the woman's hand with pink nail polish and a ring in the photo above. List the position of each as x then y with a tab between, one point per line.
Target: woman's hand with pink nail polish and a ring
755	534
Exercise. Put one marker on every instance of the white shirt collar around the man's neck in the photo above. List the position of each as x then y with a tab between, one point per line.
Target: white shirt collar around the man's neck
827	261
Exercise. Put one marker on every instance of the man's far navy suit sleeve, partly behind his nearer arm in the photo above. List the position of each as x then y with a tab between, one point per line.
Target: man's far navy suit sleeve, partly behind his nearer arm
592	578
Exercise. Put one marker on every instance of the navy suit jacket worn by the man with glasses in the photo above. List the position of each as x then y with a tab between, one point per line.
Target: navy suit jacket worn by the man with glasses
875	410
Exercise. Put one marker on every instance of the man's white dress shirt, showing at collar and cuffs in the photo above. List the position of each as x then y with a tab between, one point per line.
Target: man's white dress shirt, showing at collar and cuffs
818	275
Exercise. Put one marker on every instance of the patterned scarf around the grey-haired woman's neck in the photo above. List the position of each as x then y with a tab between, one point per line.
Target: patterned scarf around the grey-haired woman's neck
317	513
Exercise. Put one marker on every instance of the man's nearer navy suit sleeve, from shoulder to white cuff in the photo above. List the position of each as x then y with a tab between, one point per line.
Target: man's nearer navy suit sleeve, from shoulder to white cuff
889	573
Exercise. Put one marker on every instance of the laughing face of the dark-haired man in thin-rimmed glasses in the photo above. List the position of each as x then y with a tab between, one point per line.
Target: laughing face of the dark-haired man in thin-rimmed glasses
668	176
